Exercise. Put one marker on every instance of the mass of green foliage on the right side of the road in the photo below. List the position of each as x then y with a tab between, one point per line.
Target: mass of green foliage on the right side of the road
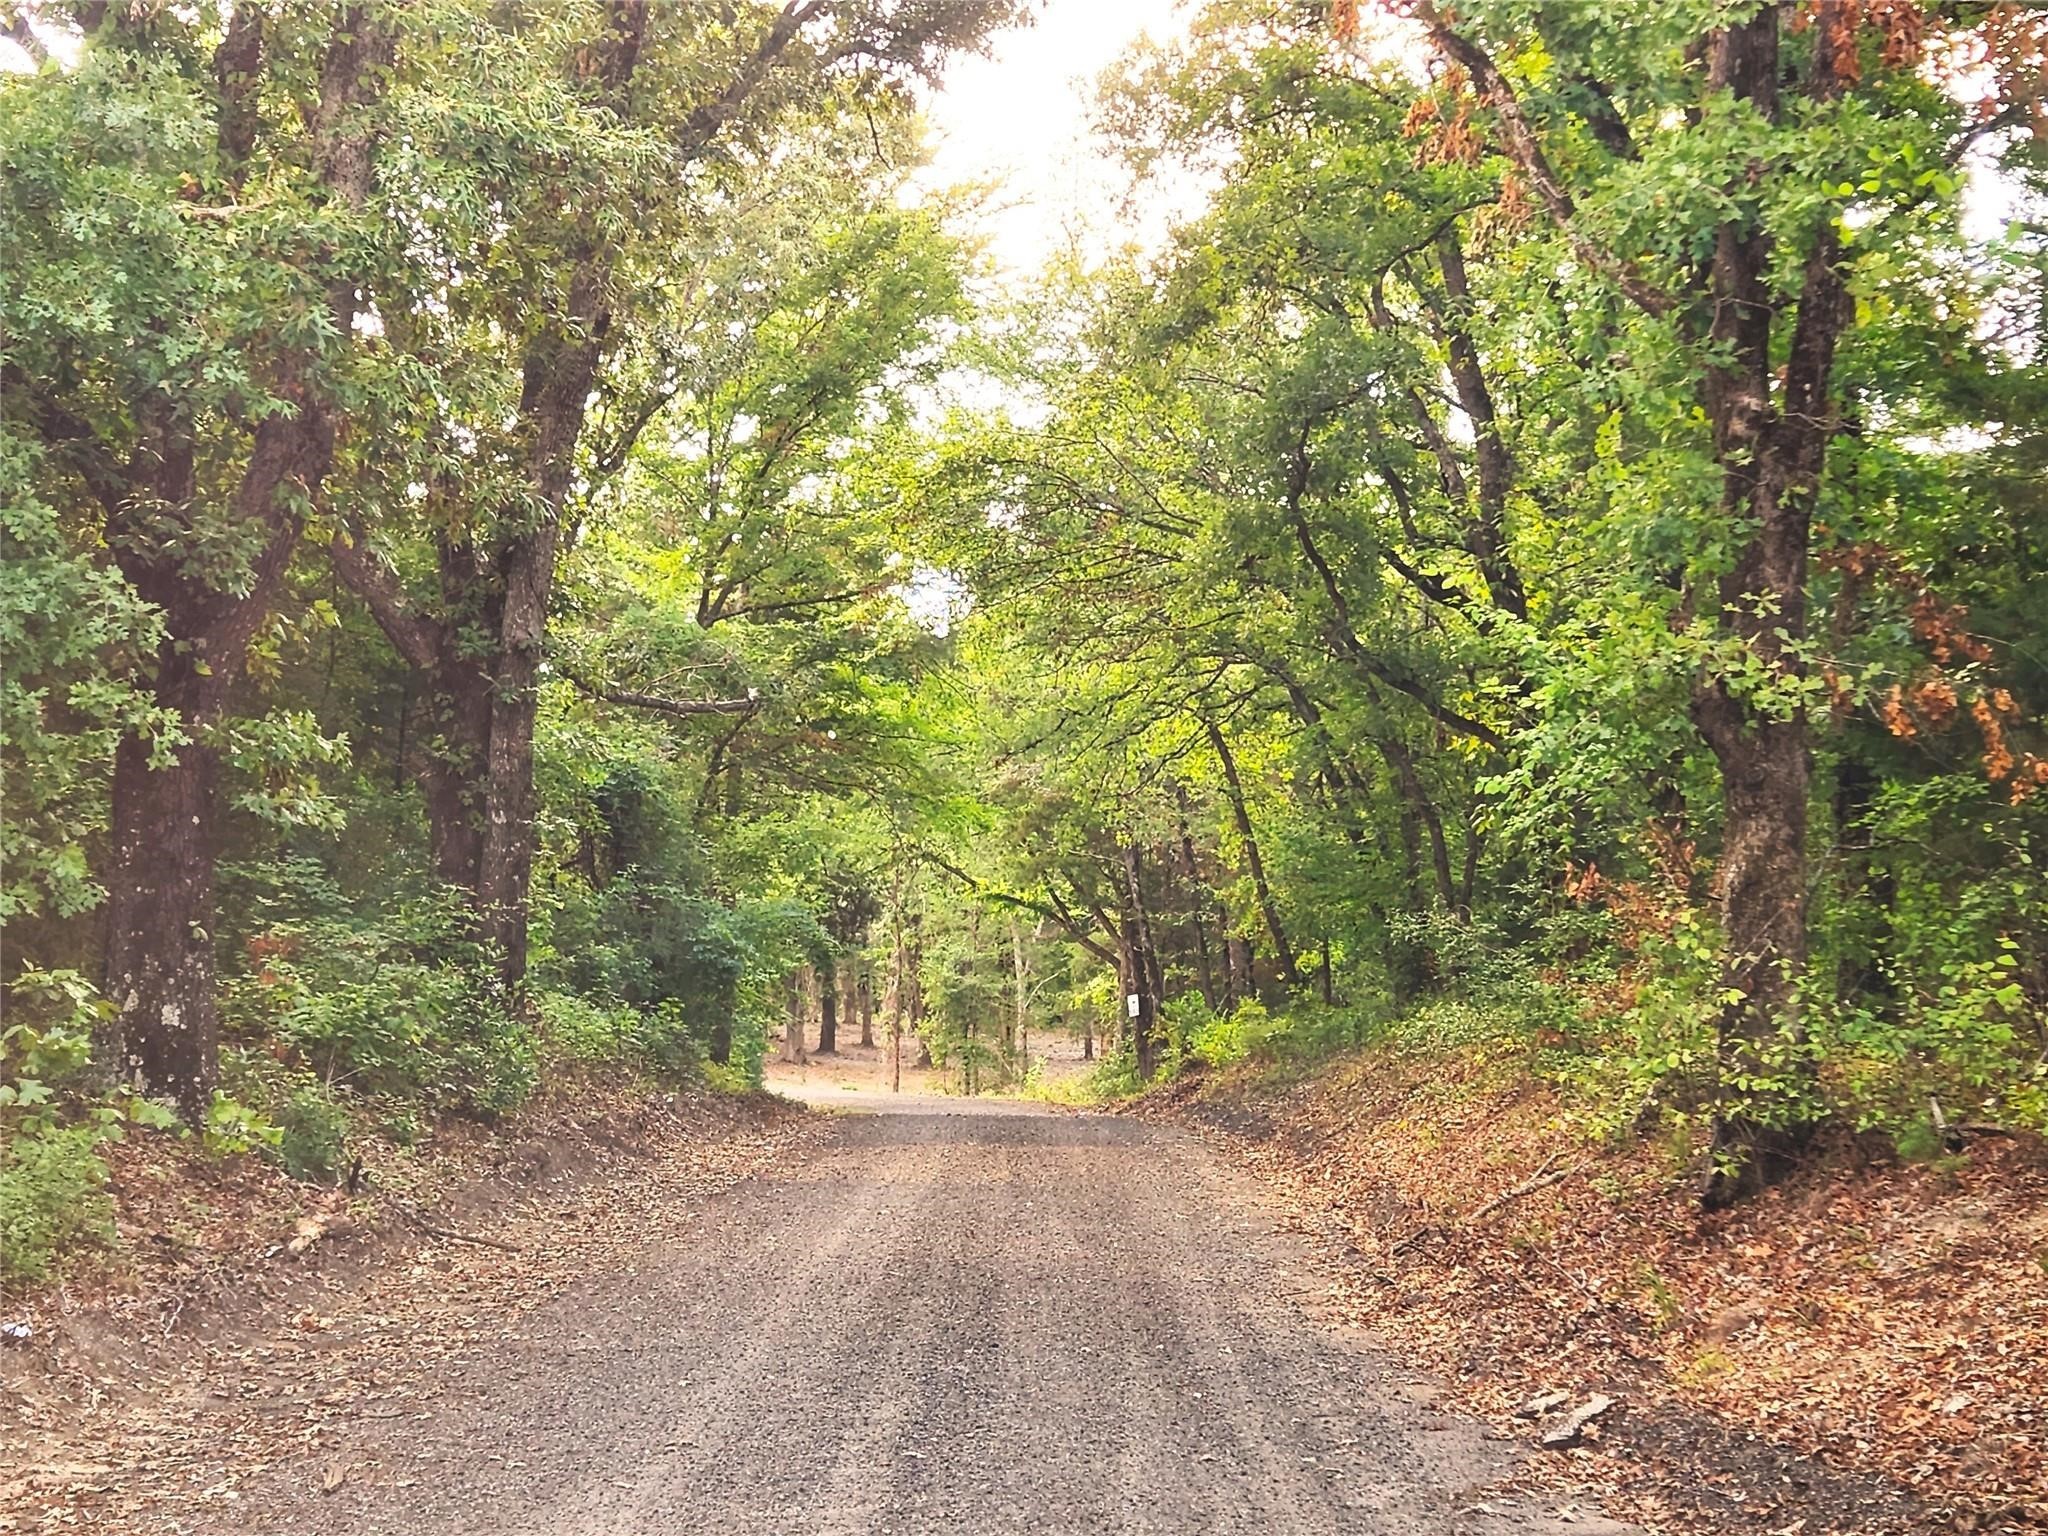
1363	585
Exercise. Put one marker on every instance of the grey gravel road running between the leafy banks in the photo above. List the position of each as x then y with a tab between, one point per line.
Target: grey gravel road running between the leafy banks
945	1318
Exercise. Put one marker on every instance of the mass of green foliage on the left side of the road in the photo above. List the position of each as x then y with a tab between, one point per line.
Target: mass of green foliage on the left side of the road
728	474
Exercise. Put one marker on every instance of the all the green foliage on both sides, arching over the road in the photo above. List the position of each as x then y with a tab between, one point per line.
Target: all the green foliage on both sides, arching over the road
1312	626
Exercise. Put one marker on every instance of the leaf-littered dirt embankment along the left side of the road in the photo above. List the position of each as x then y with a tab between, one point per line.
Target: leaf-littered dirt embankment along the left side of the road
241	1310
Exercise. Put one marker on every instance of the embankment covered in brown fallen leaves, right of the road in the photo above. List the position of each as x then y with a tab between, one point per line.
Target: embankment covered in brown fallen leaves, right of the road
1863	1351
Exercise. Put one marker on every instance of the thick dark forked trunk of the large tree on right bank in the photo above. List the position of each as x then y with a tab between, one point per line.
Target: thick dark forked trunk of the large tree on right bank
1770	456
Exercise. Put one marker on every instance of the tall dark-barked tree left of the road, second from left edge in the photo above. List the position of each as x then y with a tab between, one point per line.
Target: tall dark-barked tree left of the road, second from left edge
505	503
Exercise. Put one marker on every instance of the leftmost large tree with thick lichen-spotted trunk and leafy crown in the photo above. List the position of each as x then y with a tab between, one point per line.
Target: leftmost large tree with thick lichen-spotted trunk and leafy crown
230	175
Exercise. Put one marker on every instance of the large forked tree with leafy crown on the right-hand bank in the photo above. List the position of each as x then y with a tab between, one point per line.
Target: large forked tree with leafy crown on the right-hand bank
1709	212
